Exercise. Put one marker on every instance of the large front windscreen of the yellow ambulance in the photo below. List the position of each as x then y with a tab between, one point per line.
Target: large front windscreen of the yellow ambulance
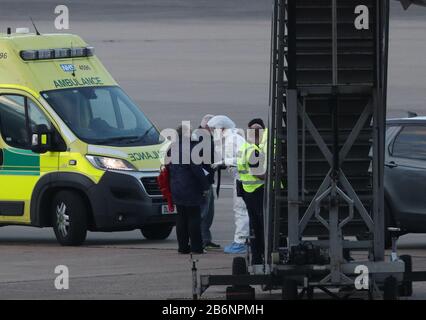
103	116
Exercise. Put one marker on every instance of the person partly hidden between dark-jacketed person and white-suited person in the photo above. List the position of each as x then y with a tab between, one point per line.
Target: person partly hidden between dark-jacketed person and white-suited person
207	206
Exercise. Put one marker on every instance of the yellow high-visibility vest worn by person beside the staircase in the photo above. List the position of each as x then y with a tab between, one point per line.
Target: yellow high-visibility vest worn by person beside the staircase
250	183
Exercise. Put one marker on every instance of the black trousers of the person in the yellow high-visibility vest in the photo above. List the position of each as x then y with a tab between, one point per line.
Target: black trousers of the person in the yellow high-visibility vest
254	203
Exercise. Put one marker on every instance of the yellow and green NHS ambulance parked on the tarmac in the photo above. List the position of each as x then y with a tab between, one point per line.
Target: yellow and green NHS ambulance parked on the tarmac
76	153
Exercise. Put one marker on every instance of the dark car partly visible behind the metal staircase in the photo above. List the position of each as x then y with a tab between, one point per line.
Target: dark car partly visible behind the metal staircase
405	174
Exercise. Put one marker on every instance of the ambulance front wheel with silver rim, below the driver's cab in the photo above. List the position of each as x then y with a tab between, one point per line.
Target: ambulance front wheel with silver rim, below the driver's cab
69	217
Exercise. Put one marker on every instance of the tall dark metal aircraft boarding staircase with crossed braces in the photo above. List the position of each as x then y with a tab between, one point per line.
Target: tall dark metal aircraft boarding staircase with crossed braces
328	98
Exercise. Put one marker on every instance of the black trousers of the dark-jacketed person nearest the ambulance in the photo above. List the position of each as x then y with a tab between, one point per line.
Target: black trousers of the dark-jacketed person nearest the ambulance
188	229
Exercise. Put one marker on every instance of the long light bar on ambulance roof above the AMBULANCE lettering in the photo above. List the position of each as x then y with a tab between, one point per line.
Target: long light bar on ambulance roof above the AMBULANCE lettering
62	53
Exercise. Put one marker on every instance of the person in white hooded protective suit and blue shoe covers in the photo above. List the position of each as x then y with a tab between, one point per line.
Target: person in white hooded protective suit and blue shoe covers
228	143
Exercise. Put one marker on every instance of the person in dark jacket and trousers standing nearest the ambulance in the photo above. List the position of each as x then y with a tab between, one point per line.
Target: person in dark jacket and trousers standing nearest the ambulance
189	186
